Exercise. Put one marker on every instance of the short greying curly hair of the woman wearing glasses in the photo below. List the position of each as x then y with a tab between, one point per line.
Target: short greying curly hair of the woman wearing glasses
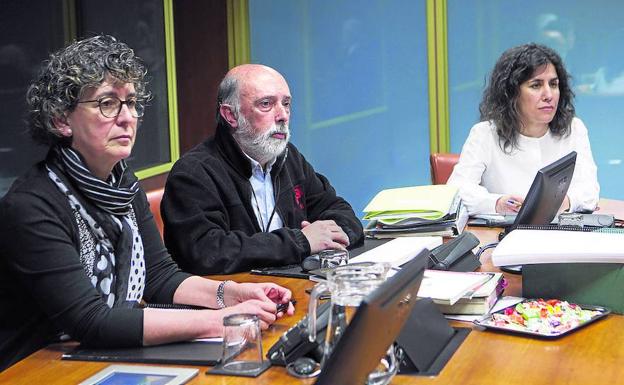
68	72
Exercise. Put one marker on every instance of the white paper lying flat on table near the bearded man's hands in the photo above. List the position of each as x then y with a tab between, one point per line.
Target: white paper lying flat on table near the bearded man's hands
398	251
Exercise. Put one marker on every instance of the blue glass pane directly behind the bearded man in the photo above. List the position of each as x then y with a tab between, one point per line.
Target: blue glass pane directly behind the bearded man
358	76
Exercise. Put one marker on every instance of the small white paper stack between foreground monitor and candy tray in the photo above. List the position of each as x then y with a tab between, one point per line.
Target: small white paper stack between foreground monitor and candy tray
447	287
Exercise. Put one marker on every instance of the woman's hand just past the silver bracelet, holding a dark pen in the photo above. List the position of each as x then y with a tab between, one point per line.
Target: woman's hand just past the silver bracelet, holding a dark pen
270	293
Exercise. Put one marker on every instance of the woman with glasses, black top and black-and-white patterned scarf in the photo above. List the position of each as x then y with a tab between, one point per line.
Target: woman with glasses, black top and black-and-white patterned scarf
80	251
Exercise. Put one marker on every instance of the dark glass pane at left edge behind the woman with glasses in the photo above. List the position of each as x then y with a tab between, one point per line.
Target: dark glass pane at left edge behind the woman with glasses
22	48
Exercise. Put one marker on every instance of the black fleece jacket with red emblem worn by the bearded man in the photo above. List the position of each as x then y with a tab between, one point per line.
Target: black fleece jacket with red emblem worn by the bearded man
209	223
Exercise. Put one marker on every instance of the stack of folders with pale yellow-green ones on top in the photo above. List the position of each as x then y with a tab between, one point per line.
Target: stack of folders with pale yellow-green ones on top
416	211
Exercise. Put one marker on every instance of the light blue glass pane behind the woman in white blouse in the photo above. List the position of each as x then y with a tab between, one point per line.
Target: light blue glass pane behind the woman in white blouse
587	35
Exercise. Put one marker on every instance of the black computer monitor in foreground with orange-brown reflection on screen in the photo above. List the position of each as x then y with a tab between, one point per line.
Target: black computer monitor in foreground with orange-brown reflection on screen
375	325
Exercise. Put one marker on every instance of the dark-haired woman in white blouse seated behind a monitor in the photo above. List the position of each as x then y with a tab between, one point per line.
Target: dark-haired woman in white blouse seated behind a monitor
527	122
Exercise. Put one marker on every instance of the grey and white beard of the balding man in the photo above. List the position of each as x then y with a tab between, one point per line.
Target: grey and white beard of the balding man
263	148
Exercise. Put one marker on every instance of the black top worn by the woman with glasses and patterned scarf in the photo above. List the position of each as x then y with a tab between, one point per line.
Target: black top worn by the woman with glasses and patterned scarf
43	286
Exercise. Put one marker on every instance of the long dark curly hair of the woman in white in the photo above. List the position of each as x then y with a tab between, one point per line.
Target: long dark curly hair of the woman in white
500	98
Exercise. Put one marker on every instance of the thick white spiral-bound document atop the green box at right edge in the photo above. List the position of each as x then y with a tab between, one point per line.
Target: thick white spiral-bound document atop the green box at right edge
521	247
